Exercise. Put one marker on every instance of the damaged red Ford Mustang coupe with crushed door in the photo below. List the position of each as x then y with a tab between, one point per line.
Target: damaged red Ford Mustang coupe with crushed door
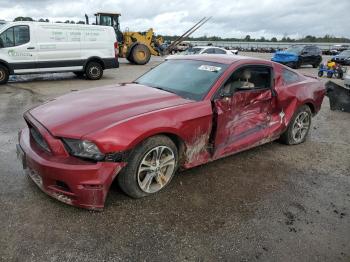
184	113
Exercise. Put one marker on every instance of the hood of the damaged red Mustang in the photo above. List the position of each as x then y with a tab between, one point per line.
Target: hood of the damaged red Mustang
80	113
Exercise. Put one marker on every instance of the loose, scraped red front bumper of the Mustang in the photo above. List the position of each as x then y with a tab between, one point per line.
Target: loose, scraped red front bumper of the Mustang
67	179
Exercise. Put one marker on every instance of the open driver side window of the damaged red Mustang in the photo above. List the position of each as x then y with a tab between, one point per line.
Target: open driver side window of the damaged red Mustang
248	78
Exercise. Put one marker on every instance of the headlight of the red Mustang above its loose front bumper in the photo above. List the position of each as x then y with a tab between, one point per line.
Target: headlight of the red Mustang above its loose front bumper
83	149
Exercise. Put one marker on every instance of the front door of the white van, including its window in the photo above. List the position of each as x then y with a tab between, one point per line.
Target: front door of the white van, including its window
17	48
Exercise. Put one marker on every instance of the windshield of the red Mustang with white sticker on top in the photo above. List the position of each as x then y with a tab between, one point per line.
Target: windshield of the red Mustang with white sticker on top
189	79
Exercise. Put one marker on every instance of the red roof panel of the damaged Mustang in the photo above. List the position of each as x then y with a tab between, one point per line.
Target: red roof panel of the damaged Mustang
223	59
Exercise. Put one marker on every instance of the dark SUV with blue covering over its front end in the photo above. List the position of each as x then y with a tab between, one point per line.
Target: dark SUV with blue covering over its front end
298	55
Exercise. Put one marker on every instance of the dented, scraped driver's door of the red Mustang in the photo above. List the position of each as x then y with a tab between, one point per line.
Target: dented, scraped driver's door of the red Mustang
242	109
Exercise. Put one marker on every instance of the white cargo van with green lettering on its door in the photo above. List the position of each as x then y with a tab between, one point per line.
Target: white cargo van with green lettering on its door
34	47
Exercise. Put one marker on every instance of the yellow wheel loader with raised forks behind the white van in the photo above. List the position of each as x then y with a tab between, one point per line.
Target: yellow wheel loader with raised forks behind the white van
137	47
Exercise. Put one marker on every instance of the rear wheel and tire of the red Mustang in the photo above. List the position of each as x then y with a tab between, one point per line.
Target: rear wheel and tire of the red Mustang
290	136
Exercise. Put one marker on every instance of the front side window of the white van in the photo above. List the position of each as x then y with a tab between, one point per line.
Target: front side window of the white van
15	36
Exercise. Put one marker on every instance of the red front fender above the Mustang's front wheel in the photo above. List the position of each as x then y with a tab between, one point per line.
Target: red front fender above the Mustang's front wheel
187	122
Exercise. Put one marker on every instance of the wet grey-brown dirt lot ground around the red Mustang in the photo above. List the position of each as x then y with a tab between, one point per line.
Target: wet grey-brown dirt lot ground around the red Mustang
271	203
